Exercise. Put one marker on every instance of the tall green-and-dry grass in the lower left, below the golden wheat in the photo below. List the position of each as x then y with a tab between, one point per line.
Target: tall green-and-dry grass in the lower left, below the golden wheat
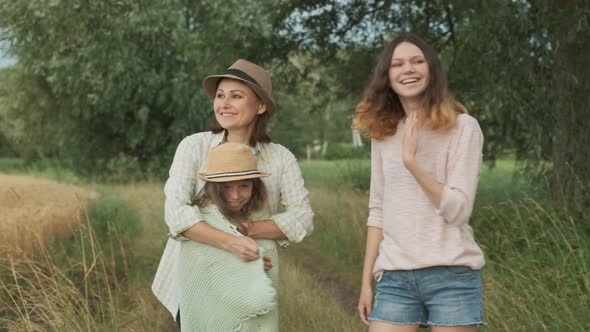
81	281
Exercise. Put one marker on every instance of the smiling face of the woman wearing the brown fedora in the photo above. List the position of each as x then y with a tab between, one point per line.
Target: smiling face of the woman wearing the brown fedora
236	105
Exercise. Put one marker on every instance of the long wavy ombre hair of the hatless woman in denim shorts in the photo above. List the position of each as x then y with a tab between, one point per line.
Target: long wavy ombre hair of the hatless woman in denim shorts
380	109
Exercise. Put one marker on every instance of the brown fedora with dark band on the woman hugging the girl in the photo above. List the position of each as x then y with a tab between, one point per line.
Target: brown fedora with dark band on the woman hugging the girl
251	74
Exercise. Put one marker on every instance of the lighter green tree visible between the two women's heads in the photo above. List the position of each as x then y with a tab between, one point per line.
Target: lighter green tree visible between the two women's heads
316	108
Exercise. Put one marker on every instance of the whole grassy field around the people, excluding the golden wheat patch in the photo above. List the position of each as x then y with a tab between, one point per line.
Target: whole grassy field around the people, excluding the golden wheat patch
537	276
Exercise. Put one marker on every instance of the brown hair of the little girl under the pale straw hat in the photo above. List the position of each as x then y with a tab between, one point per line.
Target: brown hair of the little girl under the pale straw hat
213	193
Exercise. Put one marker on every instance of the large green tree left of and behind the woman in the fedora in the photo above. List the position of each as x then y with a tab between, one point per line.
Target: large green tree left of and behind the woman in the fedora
122	78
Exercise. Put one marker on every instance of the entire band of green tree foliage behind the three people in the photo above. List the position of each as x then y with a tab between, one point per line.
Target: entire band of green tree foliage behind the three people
102	80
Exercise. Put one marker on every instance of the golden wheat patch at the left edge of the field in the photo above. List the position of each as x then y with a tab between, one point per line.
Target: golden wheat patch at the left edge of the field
33	210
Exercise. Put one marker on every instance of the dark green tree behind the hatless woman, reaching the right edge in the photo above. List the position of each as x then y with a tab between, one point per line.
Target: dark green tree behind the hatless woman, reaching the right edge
521	67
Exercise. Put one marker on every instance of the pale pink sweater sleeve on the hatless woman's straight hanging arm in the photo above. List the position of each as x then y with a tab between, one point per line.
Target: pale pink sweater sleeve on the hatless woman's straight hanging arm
377	185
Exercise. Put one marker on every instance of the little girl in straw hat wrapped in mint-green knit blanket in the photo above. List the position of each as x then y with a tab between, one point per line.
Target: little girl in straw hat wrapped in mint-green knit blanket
220	292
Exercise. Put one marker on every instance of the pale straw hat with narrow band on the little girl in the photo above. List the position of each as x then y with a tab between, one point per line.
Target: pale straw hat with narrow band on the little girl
231	162
